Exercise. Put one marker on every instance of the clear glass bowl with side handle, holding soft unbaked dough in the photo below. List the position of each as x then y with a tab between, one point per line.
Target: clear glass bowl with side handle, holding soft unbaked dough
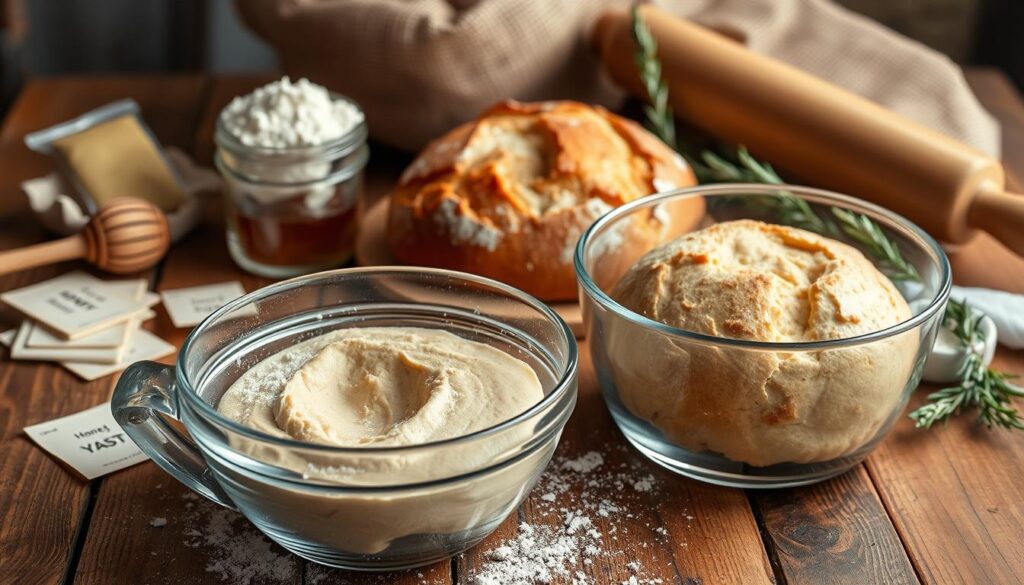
400	507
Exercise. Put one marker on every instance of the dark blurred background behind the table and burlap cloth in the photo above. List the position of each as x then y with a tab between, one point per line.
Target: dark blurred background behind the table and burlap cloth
50	37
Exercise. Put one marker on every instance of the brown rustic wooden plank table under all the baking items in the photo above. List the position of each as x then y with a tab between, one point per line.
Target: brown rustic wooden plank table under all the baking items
942	507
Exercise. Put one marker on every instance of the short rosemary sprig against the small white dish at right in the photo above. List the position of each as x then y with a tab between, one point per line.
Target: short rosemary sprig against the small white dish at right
980	388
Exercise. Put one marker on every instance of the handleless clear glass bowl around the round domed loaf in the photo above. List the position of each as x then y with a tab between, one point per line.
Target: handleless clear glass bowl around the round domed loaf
747	413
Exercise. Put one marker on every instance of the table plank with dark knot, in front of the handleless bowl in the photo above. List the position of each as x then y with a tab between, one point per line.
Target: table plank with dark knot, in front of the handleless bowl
835	532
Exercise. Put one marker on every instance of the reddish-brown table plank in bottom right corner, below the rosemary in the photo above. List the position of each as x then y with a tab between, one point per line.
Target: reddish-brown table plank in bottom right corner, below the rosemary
956	497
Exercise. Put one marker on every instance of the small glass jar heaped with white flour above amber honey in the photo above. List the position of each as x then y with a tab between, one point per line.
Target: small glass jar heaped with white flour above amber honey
292	157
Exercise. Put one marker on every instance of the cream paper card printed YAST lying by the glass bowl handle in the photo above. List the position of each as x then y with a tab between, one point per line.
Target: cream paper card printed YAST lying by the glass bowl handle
91	442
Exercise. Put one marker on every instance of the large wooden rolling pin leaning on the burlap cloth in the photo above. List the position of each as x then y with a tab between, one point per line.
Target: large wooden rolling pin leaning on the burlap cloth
819	133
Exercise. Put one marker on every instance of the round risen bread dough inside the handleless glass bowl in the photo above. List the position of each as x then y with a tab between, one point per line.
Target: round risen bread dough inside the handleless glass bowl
755	281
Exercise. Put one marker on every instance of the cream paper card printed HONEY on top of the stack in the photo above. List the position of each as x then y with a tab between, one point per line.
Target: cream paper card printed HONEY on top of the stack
76	304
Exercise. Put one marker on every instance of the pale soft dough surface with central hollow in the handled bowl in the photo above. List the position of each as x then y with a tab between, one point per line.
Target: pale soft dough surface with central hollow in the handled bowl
388	387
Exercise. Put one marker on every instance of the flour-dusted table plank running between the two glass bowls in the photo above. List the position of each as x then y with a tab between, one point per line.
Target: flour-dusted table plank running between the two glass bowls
679	531
